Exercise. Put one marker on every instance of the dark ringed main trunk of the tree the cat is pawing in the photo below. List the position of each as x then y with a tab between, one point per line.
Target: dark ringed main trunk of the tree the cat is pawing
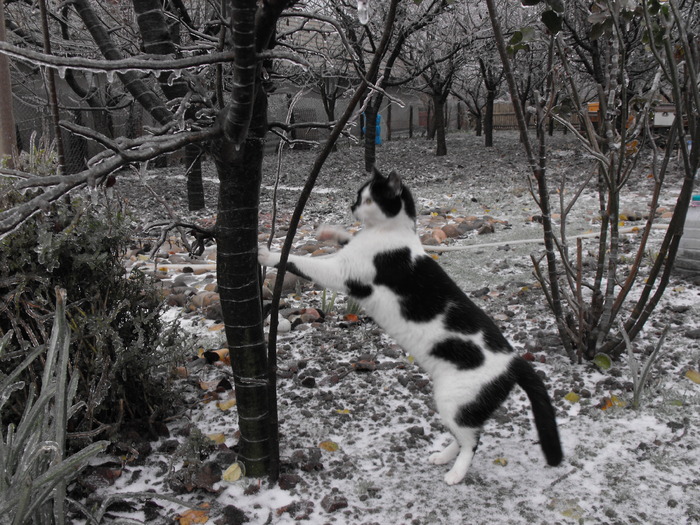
240	176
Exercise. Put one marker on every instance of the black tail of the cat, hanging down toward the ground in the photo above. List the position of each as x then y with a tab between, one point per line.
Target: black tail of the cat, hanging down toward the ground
542	408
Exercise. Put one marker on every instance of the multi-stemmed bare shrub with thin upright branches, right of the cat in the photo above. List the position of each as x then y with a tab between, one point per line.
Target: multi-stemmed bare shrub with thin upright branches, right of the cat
587	308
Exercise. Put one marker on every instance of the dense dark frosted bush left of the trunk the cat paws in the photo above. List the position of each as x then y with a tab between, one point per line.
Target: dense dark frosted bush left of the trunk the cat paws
118	336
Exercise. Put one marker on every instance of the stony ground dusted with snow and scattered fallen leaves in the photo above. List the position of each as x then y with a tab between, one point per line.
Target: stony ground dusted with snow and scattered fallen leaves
356	437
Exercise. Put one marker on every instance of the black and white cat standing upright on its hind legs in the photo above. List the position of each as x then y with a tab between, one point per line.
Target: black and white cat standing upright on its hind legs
473	367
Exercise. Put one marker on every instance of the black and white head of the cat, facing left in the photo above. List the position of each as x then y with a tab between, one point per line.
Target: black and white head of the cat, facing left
382	199
